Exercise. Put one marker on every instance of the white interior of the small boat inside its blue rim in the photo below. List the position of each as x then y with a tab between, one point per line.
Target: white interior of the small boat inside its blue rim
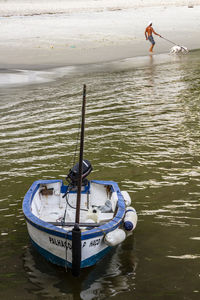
50	206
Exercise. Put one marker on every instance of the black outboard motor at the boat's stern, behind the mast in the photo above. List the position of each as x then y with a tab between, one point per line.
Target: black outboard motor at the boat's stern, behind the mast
73	175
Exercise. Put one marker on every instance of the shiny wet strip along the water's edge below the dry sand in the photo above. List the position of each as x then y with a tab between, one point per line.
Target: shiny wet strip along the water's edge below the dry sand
19	76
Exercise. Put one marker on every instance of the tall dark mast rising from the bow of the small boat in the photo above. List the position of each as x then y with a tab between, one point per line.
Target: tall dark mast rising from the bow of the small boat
76	232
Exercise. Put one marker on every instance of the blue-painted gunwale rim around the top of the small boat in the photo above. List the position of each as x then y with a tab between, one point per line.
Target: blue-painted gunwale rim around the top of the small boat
56	231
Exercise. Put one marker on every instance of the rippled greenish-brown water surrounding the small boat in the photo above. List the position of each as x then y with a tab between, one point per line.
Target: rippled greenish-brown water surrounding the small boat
143	121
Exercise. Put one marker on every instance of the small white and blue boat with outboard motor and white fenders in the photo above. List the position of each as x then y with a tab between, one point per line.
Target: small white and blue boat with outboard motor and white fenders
77	240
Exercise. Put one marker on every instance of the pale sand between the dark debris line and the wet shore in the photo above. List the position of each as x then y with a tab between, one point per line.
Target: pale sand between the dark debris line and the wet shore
43	42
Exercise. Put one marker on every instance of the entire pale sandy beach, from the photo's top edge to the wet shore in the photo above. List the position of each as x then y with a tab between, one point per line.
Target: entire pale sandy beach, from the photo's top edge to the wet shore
83	32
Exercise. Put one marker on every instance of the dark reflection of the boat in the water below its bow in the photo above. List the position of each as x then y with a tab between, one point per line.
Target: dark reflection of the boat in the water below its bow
115	274
